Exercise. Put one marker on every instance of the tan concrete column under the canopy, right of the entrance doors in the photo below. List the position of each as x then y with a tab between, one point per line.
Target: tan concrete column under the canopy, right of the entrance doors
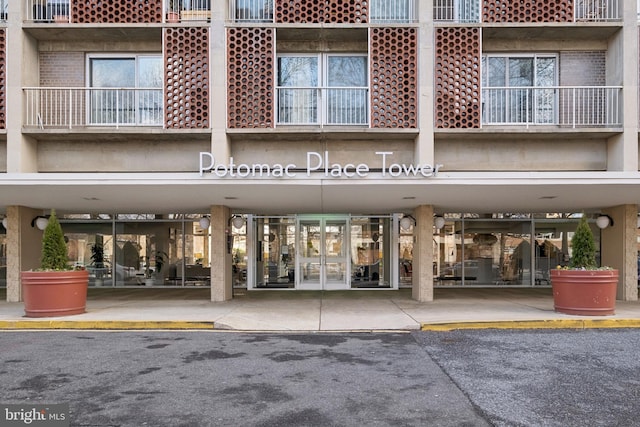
422	280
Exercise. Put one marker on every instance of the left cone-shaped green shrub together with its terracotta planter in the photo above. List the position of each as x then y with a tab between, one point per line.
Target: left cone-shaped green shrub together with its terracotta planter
55	289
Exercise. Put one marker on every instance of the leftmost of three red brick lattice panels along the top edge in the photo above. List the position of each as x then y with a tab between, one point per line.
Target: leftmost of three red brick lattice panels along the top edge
116	11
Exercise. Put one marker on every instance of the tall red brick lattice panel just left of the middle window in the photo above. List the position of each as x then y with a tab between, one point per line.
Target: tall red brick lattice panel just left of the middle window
250	77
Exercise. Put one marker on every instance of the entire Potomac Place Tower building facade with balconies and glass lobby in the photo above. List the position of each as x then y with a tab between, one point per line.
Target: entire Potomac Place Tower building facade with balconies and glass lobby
319	145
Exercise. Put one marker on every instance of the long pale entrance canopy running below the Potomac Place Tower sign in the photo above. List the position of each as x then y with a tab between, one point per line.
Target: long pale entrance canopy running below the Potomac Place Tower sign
448	192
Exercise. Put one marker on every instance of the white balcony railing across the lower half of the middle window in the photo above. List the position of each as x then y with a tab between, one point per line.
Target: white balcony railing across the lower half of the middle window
322	106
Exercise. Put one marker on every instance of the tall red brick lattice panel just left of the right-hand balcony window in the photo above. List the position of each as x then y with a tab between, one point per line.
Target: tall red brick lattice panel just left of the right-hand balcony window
457	78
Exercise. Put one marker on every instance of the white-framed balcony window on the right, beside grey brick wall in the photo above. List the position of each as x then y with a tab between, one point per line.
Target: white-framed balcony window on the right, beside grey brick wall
519	89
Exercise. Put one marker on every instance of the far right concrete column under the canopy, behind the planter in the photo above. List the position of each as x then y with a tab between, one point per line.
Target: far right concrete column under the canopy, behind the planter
620	251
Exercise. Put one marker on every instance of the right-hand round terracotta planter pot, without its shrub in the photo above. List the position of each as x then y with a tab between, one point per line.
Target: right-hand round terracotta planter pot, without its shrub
584	292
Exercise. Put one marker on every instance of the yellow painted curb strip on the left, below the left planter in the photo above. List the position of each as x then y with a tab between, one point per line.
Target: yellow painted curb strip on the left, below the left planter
102	325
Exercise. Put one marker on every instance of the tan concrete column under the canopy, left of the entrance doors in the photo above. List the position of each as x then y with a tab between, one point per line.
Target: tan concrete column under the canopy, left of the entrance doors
221	270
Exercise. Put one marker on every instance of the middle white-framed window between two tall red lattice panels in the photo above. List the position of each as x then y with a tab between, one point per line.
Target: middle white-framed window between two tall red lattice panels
322	89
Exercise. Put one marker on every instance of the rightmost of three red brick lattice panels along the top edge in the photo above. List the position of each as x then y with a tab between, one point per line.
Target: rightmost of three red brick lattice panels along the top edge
527	11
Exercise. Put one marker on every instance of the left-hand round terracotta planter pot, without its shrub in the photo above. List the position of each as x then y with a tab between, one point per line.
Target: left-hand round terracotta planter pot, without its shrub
54	293
